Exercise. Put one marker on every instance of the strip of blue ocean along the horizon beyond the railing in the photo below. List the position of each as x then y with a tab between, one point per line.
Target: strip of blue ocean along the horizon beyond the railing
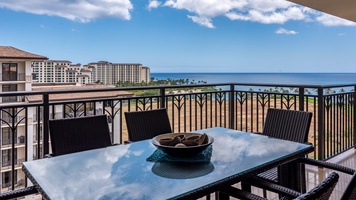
264	78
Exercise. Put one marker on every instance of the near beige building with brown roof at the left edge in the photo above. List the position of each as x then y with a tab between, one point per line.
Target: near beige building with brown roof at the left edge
16	75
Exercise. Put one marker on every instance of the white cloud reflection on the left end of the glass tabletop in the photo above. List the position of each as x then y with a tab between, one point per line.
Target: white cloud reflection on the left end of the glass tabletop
75	167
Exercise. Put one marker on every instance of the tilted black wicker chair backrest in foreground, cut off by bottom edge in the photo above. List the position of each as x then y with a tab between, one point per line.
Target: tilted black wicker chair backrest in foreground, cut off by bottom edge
323	190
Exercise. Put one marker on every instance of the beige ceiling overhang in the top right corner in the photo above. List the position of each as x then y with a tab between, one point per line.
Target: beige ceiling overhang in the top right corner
342	8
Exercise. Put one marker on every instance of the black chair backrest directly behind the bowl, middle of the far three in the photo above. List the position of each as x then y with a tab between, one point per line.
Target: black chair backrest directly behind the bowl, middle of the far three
147	124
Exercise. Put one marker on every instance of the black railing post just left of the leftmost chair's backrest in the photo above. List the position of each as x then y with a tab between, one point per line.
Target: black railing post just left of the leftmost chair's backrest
45	124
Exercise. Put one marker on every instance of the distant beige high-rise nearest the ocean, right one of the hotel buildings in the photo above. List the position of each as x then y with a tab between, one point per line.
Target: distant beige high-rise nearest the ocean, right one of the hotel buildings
112	73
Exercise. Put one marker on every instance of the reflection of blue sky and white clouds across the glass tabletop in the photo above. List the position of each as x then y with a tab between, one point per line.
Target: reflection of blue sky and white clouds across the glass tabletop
118	172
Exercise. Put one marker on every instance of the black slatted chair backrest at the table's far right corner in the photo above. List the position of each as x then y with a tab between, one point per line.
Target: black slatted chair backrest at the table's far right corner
285	124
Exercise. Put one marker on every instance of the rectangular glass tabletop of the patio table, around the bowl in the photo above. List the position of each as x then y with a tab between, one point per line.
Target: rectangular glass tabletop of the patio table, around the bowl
123	172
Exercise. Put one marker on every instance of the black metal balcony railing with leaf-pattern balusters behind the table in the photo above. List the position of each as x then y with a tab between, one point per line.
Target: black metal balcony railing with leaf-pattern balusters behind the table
239	106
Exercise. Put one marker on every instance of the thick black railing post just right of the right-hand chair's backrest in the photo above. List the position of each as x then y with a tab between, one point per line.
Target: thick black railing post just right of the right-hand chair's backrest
321	134
